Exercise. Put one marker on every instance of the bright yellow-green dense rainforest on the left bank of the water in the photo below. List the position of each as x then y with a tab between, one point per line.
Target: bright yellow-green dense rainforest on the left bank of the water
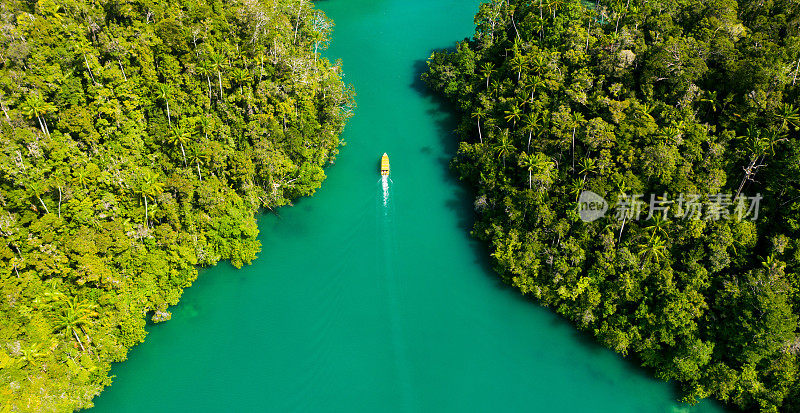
138	139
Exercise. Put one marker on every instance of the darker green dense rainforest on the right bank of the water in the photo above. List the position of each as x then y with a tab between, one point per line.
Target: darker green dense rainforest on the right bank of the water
687	103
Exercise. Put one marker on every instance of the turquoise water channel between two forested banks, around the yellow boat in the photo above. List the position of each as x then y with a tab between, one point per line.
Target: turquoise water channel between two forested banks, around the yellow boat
373	299
